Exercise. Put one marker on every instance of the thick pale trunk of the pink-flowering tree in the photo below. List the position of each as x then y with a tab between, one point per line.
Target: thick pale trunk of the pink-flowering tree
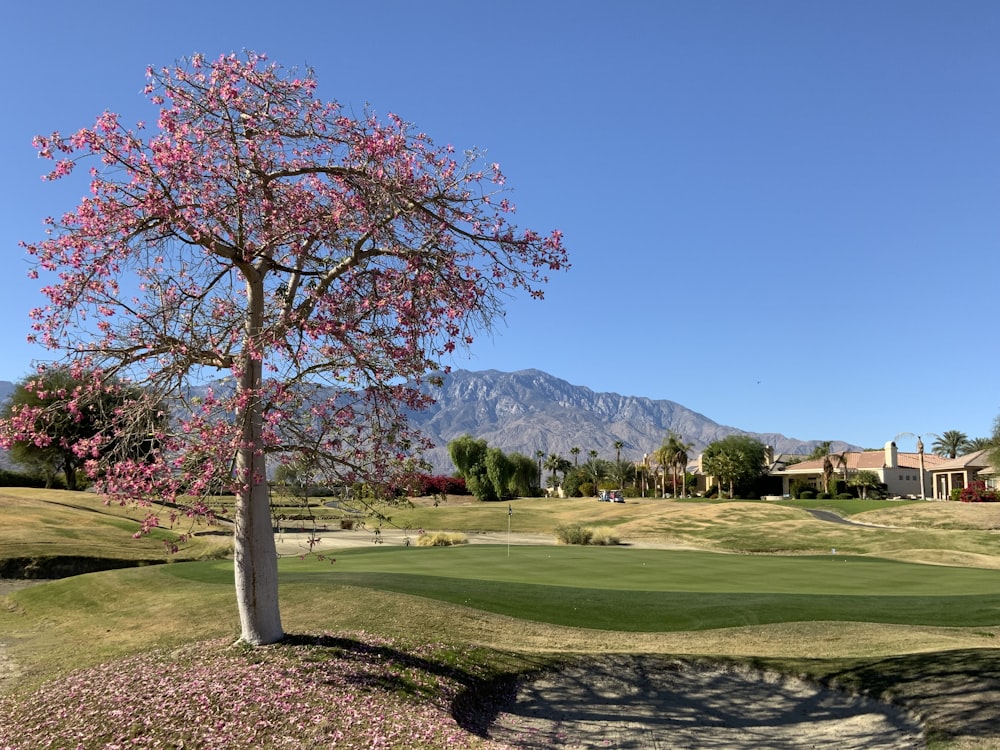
254	551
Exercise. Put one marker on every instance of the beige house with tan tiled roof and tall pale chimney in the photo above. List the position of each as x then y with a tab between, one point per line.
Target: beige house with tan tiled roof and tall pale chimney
904	474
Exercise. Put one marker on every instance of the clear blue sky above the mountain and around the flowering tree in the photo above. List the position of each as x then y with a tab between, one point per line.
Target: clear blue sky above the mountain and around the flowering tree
784	215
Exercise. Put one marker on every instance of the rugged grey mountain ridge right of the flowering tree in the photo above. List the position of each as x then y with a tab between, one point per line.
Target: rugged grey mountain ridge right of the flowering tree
530	410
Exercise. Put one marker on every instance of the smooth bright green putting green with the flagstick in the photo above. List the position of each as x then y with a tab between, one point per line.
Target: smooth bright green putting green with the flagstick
656	590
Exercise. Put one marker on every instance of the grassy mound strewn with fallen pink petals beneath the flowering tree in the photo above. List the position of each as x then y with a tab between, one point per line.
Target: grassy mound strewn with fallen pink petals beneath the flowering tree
336	691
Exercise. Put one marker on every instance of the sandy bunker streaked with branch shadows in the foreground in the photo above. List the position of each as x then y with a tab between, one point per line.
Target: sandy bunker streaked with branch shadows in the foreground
641	703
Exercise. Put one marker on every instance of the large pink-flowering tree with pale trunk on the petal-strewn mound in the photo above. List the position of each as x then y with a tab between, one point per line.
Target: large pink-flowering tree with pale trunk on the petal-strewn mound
314	266
